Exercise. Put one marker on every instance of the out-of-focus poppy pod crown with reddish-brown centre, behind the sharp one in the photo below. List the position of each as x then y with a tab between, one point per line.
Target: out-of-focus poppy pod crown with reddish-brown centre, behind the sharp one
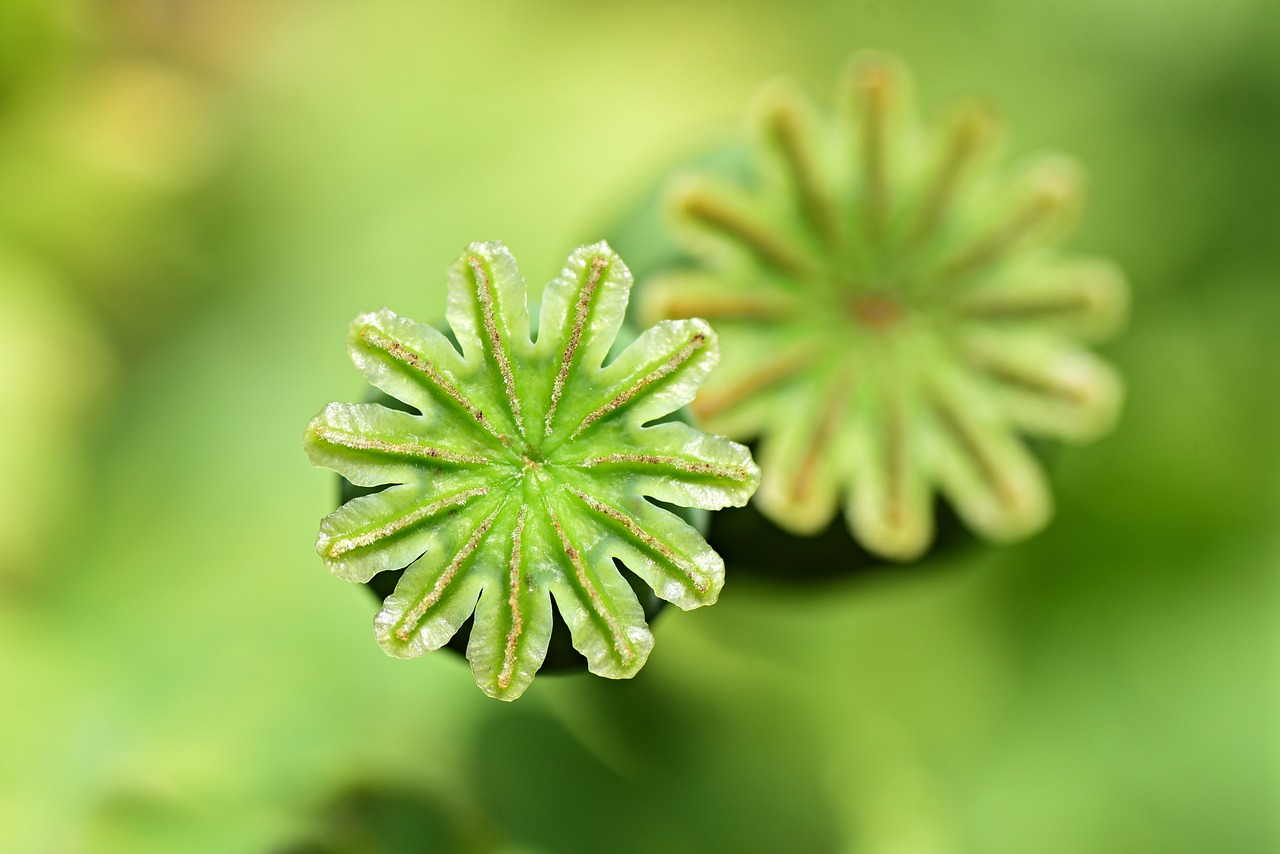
894	317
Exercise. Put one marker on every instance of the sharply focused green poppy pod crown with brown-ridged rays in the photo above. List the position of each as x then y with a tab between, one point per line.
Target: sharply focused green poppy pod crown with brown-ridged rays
527	472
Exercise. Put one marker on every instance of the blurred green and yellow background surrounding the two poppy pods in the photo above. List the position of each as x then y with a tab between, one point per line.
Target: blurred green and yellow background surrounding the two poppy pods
196	198
